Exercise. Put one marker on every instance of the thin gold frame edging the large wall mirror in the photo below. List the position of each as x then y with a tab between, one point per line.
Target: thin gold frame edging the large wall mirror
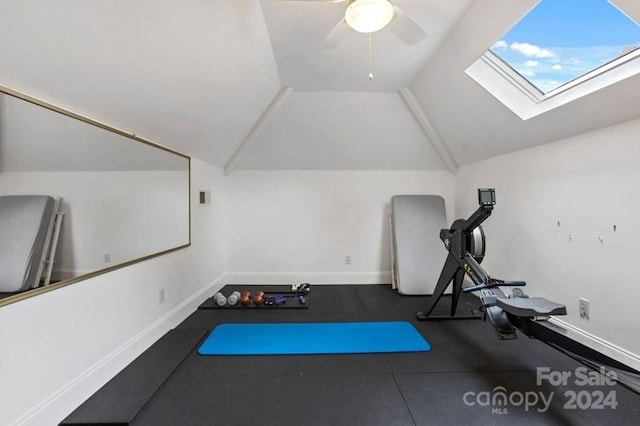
133	137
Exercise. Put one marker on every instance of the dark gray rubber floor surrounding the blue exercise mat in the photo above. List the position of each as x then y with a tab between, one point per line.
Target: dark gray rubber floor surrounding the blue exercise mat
447	386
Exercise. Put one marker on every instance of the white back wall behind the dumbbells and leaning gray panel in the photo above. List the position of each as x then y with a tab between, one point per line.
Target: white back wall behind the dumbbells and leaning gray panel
289	226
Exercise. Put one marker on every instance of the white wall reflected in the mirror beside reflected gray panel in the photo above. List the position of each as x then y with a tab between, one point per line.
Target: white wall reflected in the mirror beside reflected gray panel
128	214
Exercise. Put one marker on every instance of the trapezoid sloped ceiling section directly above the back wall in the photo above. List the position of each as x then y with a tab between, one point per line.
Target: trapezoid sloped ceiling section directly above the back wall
342	131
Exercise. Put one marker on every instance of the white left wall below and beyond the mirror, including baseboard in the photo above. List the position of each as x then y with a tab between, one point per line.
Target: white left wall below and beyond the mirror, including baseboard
60	347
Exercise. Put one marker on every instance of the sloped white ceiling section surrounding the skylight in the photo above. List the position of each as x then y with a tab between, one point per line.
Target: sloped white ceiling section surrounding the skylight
474	124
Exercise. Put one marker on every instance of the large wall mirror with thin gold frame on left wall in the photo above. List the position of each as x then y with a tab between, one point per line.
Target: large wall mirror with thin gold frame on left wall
121	199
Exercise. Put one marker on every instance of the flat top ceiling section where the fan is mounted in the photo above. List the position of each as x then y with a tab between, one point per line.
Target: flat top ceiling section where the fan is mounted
298	28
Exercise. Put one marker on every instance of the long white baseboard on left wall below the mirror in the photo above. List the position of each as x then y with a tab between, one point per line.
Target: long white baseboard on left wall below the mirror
60	404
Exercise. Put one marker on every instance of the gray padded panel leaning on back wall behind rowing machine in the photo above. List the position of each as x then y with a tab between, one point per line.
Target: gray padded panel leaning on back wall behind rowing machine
419	254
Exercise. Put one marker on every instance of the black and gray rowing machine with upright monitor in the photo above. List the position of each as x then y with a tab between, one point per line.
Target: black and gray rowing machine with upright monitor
465	242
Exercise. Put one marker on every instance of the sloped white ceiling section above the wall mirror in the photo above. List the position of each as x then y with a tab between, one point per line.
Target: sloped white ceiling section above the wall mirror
191	75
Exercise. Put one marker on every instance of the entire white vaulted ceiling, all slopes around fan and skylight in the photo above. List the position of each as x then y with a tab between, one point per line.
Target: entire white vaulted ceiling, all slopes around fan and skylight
248	84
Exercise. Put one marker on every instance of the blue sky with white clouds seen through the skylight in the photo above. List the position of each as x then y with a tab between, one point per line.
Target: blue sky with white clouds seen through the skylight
561	40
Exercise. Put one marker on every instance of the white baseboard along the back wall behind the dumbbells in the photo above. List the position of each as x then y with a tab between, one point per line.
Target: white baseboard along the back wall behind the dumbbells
267	278
